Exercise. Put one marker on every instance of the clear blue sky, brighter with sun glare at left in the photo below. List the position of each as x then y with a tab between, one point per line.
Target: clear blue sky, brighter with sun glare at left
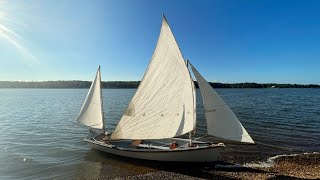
227	41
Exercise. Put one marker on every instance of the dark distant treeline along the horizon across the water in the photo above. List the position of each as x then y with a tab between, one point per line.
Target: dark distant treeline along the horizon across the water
135	84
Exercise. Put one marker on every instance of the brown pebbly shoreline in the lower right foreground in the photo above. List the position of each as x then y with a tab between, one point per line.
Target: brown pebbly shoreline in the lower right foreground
303	166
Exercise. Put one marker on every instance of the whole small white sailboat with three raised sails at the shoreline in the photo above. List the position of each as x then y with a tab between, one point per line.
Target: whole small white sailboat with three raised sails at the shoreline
162	110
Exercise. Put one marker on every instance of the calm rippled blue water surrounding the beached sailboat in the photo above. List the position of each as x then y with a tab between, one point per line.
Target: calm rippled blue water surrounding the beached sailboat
40	139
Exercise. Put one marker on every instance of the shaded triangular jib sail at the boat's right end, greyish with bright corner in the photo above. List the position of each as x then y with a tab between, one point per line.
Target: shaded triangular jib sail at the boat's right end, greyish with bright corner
221	121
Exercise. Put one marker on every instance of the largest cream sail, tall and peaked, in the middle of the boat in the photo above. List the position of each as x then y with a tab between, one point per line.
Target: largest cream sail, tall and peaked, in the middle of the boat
163	105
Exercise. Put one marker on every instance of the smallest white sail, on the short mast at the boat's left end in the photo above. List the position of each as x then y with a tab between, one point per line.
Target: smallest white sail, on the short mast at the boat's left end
91	113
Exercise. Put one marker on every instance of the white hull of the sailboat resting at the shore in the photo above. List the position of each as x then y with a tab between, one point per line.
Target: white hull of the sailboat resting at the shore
207	153
